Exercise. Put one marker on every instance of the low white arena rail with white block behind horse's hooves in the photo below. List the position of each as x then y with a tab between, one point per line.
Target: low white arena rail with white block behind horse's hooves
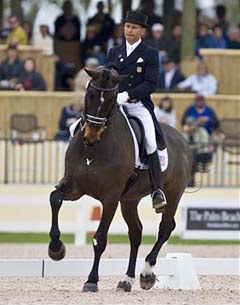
176	271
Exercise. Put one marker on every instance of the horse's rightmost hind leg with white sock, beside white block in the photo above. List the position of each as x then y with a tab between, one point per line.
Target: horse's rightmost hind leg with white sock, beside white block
167	225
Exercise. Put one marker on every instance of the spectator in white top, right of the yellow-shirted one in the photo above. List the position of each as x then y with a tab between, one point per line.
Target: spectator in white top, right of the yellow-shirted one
43	40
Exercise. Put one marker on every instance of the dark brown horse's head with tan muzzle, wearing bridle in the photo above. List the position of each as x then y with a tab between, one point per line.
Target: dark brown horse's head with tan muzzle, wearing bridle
100	99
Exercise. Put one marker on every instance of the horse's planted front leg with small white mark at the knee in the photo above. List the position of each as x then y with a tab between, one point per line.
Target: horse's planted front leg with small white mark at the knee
99	244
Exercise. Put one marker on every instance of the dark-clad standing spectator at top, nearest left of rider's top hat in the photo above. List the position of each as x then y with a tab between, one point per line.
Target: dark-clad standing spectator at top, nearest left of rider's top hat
104	25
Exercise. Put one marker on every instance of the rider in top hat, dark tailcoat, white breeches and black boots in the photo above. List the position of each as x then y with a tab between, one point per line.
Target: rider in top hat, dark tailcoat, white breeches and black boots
140	62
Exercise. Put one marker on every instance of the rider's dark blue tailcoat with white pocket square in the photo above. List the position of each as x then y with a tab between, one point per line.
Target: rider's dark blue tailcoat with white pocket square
142	68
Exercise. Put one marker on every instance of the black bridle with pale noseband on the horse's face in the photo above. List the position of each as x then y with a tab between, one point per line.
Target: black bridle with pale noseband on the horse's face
96	119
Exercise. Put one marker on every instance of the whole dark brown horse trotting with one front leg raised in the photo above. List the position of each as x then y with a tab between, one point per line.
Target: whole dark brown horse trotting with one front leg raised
99	162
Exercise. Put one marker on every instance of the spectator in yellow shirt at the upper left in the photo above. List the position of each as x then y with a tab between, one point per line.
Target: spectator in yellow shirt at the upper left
17	34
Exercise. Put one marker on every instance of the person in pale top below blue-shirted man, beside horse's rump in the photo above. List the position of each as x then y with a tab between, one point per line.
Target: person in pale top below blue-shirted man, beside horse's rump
198	139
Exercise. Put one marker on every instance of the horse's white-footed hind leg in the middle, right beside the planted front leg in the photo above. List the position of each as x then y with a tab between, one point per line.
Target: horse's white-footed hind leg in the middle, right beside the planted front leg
130	215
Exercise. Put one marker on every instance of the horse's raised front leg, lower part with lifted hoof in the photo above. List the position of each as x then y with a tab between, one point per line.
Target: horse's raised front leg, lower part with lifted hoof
56	249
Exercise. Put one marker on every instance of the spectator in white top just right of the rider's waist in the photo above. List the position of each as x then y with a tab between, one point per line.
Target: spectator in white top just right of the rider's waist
165	113
